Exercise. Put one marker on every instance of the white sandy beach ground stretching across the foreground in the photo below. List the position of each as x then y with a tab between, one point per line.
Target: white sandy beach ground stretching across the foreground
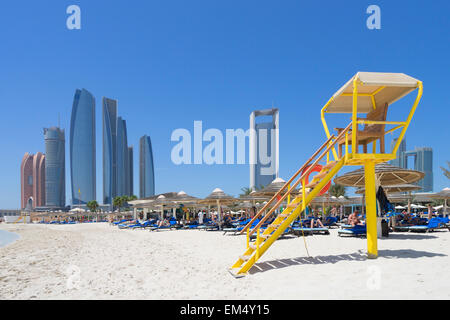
98	261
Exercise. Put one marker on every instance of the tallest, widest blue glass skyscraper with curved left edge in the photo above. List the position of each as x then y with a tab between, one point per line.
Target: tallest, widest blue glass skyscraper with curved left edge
82	148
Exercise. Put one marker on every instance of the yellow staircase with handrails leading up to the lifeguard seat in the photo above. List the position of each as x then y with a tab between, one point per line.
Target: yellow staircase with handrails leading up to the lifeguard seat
254	250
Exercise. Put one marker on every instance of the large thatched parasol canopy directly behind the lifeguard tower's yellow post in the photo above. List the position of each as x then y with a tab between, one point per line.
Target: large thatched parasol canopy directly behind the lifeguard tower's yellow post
385	175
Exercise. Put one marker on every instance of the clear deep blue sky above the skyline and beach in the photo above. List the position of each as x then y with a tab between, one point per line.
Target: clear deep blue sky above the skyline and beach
169	63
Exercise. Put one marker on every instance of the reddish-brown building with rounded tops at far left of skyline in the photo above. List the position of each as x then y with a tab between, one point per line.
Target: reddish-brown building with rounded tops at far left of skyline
32	180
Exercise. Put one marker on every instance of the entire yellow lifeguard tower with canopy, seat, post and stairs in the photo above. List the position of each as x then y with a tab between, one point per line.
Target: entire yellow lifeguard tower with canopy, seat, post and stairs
369	93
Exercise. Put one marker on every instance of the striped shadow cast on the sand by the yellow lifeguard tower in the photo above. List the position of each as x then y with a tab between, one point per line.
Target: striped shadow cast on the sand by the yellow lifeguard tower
357	256
